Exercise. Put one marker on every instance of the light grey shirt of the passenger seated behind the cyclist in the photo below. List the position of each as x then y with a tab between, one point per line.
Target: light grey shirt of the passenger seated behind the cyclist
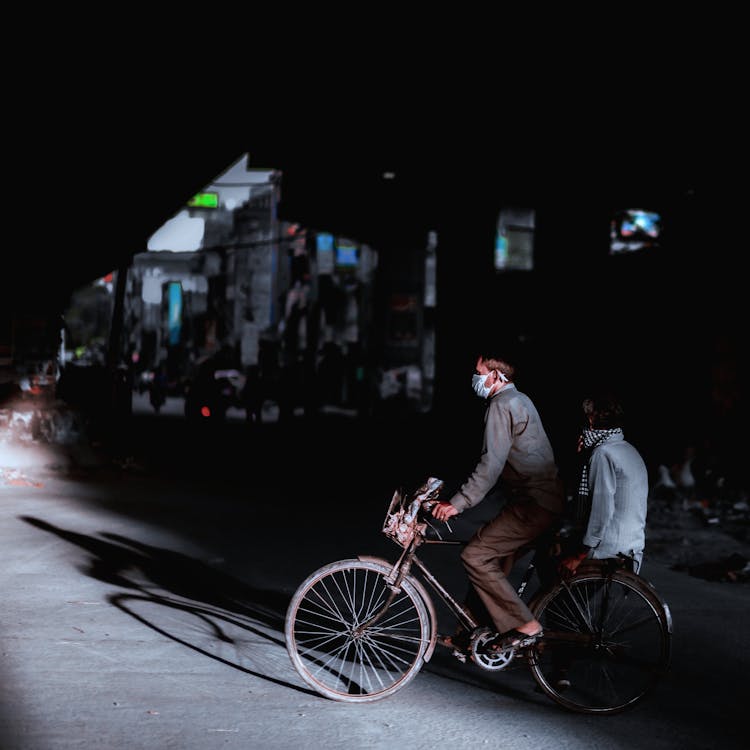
618	479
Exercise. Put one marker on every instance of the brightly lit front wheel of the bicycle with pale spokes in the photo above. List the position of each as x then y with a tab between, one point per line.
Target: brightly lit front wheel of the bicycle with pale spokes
333	648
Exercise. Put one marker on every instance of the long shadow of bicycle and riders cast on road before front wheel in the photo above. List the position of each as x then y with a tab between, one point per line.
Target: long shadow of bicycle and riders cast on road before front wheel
189	602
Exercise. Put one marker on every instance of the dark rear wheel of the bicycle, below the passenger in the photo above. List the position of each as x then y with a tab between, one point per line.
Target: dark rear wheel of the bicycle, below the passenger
606	643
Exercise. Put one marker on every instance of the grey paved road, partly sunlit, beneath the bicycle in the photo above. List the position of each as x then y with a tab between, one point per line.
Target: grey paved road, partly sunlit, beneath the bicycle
143	608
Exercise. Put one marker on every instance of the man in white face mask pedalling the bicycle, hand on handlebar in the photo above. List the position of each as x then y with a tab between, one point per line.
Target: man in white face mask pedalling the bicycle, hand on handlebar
516	451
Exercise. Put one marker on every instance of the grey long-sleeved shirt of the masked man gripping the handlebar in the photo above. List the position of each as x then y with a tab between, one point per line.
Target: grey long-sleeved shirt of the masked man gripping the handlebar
516	449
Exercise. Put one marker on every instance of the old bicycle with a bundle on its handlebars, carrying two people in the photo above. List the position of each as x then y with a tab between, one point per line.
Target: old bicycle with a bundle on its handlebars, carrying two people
360	629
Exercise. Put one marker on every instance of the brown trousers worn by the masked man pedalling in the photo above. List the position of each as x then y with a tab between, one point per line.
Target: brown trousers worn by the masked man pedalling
489	556
